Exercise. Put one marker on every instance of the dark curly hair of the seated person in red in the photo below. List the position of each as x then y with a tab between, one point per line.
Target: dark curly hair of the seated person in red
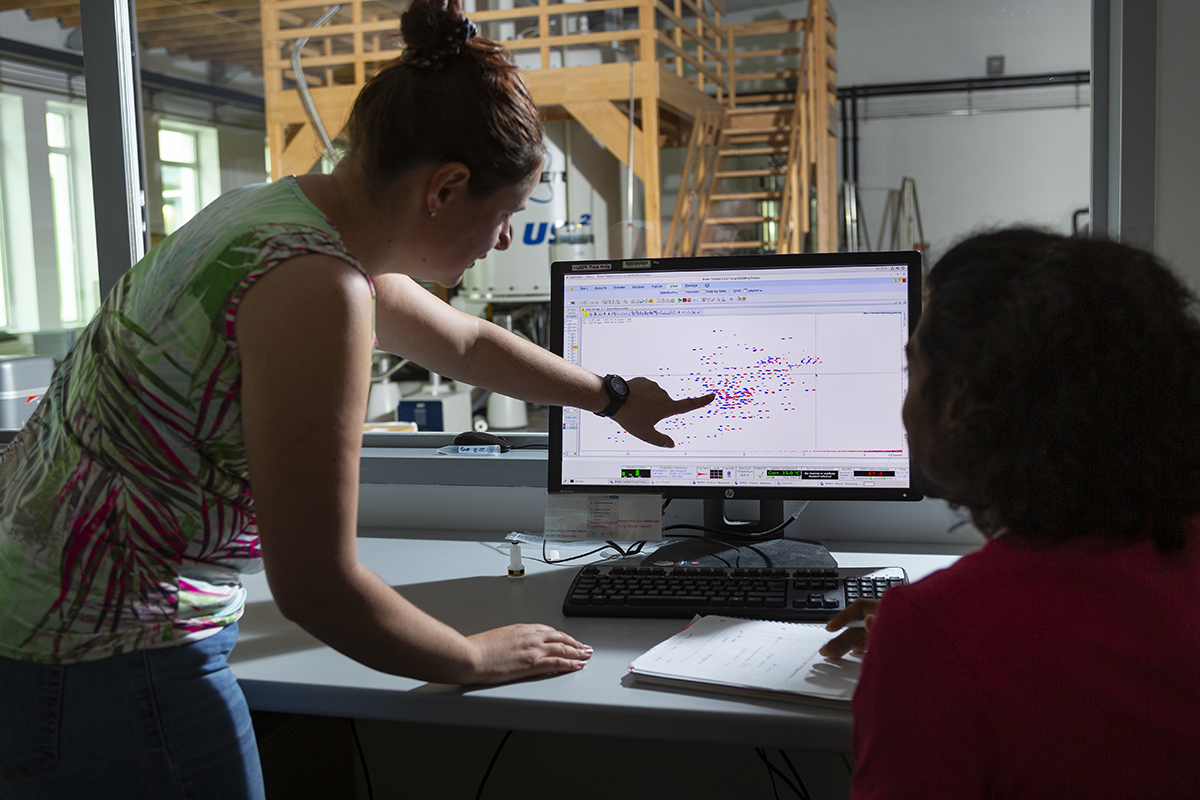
1078	364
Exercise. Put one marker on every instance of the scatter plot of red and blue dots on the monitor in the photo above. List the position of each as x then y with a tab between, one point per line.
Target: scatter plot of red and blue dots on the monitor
783	383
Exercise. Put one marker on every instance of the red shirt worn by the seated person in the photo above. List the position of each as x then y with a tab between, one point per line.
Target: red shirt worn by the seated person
1065	672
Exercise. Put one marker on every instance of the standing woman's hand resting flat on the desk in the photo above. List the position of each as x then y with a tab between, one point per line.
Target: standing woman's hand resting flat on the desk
520	652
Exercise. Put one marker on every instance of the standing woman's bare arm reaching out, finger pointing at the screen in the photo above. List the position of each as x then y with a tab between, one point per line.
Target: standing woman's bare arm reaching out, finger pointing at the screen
417	326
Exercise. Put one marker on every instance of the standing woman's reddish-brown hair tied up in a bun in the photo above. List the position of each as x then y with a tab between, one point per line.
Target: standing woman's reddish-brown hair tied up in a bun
470	107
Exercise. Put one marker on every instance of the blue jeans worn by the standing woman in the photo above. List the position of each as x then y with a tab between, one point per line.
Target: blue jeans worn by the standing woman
170	723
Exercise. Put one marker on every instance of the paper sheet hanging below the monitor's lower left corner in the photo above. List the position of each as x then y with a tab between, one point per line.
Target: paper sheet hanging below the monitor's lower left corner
604	518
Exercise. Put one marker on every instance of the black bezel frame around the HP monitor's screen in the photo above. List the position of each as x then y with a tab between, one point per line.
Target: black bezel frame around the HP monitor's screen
560	270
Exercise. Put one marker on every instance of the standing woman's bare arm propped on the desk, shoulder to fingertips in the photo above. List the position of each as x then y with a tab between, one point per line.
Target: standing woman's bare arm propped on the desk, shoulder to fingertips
304	336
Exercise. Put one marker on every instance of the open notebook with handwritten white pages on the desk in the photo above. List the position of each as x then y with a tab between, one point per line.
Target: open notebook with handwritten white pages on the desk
757	658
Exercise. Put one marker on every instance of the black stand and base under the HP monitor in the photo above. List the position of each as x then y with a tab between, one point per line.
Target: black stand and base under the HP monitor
740	549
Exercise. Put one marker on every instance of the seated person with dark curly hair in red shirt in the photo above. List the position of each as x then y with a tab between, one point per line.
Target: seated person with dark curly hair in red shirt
1055	388
